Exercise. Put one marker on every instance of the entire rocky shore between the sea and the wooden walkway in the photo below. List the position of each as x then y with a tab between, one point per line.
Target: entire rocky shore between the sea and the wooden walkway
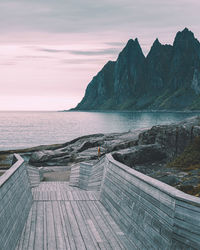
154	152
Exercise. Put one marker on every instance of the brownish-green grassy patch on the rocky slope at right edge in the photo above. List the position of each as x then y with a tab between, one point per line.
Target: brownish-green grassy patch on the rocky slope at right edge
190	158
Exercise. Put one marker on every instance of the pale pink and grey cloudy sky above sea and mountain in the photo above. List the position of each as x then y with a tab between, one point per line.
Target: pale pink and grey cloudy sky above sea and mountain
50	50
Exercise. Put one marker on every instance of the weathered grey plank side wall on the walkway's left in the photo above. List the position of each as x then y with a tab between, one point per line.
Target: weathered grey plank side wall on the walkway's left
15	203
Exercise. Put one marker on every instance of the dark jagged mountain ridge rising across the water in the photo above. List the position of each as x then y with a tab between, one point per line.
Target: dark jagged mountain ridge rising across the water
168	78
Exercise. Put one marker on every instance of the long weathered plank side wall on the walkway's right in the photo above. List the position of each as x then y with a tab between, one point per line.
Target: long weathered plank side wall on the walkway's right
152	214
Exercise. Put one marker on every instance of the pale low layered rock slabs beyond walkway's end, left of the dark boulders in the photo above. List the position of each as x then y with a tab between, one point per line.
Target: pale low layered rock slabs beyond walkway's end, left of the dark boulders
84	148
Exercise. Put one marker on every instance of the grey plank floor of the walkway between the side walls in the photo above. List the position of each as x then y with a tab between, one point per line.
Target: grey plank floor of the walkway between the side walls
64	217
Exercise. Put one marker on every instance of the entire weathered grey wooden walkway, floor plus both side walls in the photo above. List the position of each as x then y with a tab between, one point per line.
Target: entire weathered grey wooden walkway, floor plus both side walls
123	209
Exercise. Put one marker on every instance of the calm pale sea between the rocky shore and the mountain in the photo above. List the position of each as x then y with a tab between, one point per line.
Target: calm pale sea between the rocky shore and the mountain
27	129
